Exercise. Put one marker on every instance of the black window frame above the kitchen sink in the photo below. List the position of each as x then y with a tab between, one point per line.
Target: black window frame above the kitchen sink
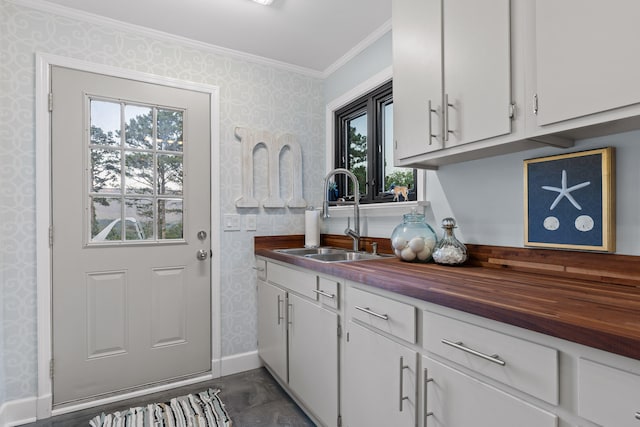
372	103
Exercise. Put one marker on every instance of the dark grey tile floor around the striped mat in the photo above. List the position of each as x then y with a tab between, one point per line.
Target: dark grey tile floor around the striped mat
252	398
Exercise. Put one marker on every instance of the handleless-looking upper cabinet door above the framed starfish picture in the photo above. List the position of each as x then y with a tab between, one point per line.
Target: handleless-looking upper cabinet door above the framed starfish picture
586	59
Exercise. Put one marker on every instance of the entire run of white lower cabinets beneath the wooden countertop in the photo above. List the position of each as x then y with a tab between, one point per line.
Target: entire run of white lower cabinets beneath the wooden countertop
402	362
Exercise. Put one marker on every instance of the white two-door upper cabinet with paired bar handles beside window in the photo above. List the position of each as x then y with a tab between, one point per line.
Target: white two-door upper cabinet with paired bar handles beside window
452	74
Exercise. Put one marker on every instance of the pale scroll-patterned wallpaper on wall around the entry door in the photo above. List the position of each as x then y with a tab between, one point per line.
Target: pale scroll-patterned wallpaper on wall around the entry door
252	94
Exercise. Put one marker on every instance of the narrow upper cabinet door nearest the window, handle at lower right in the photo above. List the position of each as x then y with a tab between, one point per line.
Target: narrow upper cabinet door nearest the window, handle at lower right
417	77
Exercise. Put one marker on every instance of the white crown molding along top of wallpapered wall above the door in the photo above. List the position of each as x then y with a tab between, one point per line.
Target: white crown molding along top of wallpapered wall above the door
45	6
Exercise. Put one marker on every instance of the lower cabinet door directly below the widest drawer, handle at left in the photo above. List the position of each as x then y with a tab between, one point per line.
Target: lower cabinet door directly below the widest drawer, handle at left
454	399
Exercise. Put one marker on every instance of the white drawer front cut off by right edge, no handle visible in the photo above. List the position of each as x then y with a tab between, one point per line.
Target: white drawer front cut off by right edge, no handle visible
608	396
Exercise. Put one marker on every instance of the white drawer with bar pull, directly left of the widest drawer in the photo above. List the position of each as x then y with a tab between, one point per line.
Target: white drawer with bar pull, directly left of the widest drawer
393	317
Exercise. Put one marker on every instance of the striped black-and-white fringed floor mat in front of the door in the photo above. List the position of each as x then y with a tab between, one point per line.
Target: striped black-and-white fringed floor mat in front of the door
204	409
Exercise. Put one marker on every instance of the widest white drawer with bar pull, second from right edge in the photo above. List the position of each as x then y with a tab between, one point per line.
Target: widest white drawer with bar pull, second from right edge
523	365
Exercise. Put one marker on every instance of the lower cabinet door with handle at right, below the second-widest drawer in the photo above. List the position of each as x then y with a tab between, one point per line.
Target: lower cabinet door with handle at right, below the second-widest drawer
379	381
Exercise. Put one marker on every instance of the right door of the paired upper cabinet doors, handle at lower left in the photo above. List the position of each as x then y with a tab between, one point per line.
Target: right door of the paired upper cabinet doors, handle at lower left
477	69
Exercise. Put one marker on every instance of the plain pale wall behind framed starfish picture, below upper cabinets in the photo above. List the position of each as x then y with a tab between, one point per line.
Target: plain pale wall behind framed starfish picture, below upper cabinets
487	196
